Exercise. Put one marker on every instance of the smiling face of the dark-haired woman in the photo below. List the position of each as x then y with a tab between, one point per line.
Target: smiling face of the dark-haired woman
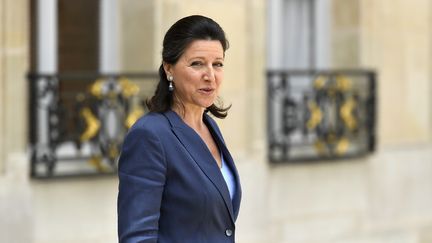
198	74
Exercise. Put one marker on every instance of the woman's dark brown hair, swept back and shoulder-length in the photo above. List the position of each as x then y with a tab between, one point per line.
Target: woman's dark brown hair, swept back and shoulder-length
176	40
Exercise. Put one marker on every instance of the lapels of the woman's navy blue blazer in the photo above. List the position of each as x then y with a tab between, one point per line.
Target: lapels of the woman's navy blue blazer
202	156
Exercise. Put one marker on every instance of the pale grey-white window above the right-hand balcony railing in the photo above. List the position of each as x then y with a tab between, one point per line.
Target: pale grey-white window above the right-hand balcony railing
298	34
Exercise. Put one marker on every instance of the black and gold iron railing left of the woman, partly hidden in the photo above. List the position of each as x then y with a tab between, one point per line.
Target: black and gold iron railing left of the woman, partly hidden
78	130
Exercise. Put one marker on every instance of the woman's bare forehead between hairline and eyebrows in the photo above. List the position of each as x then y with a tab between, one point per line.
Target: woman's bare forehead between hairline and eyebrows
204	48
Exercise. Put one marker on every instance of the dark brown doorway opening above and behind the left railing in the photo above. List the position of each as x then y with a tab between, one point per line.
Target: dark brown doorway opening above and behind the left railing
78	52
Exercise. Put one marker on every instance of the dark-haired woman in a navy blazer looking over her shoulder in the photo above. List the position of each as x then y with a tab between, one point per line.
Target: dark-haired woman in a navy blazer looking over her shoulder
178	181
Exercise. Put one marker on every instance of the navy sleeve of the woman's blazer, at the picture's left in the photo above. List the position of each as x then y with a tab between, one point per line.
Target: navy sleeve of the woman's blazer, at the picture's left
142	170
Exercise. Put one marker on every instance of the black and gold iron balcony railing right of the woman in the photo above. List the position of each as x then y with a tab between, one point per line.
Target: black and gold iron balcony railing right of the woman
316	115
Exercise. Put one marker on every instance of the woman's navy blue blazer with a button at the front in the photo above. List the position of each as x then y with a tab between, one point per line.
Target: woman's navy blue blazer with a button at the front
170	187
